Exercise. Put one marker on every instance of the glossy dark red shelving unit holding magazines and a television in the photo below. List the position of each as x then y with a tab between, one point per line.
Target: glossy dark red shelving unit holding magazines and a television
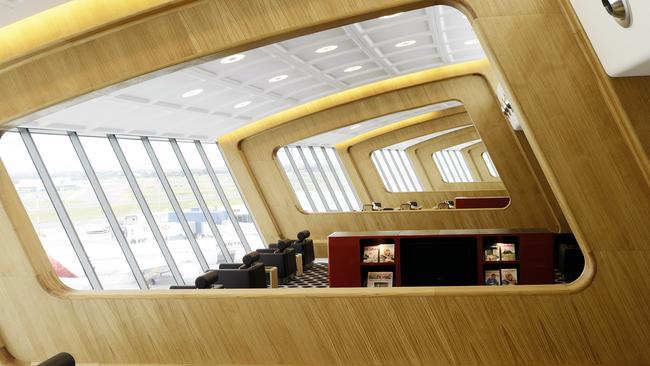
440	257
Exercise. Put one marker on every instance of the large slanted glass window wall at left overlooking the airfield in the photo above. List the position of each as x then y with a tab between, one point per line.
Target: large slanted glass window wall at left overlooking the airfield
113	220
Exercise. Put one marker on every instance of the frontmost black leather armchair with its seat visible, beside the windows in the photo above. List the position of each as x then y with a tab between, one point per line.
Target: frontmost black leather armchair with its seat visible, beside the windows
250	274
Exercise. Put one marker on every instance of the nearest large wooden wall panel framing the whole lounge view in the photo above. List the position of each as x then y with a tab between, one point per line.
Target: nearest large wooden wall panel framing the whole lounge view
586	145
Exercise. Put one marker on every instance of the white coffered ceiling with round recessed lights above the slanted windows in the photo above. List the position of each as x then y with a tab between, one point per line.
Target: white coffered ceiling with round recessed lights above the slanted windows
272	78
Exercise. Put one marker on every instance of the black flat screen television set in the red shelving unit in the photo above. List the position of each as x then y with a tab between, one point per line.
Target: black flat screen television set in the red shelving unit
440	261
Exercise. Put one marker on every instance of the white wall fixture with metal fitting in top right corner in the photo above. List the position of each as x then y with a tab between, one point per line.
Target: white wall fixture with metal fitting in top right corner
619	31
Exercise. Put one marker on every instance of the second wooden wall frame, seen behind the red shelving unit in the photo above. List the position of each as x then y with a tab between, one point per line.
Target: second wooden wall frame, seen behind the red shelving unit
250	153
